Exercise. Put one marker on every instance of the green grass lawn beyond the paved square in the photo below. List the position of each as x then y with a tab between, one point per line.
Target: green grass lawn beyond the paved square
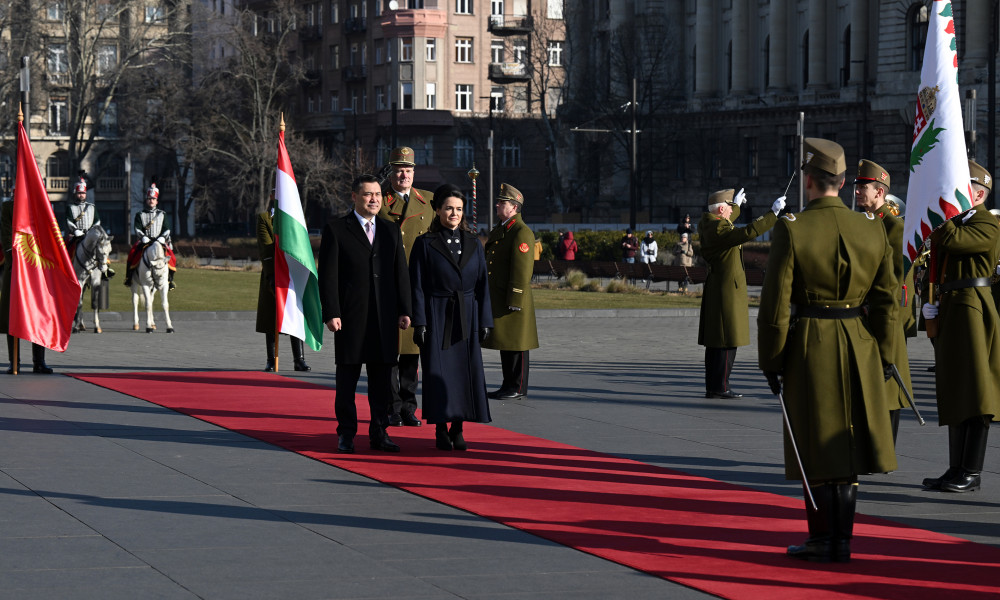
203	289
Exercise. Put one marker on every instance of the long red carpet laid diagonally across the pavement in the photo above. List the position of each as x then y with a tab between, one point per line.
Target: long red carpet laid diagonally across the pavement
723	539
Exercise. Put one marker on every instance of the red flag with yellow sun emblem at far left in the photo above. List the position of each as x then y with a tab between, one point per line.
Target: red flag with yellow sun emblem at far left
44	291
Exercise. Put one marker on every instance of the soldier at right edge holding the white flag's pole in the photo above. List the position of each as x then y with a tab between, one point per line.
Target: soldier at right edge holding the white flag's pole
965	250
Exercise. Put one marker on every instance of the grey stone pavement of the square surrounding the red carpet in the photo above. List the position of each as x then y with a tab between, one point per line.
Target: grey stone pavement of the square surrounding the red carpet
105	496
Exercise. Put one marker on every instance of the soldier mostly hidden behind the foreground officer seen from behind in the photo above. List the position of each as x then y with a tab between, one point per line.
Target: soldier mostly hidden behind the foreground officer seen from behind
871	187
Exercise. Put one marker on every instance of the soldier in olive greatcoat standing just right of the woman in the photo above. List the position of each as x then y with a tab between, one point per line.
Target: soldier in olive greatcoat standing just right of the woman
509	265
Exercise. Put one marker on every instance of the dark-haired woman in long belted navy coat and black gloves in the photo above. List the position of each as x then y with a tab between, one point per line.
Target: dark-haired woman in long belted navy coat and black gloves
451	317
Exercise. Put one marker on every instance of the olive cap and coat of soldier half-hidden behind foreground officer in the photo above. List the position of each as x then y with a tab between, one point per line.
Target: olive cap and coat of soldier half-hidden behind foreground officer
868	172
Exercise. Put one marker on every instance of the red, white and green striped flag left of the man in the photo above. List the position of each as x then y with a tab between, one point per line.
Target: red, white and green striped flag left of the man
296	283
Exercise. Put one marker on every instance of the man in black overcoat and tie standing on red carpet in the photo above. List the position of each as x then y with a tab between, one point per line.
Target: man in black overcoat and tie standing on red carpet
364	289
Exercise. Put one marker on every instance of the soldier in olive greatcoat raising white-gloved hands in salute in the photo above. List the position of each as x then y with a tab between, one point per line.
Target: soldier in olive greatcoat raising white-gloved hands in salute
724	322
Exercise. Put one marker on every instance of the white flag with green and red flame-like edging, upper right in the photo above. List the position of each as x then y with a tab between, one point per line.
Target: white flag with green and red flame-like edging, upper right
939	170
